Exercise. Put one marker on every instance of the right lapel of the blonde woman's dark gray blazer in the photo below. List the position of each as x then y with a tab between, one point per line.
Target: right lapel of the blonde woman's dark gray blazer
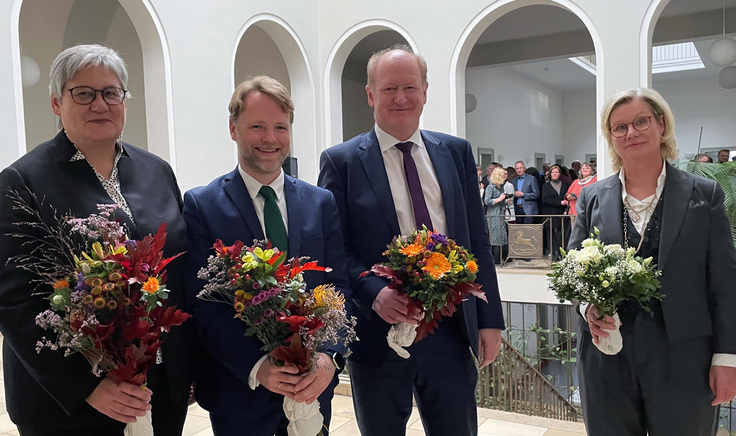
677	192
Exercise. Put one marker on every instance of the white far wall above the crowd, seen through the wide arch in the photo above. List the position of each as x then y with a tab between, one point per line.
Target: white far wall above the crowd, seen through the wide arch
516	116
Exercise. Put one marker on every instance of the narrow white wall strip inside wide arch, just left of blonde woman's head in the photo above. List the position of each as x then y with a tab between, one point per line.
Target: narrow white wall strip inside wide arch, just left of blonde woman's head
579	118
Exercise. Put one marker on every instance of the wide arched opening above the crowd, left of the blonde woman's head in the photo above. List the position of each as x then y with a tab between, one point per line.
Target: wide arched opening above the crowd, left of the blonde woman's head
533	84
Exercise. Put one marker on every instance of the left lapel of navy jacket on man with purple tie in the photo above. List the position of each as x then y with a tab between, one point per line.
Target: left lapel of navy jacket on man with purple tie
370	156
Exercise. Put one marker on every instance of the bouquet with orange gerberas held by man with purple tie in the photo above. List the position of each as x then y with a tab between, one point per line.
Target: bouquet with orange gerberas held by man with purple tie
437	275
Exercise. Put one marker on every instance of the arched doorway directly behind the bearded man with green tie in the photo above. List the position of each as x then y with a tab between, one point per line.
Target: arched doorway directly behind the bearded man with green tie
268	45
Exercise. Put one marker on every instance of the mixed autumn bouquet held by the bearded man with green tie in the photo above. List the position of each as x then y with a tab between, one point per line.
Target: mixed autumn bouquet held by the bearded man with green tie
269	294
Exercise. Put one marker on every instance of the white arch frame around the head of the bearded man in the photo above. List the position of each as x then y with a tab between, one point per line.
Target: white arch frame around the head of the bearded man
304	130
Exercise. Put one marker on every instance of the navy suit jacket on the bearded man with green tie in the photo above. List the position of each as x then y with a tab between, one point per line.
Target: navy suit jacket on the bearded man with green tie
224	210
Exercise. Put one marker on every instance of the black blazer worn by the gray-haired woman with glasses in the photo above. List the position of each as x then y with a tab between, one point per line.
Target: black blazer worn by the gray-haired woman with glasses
50	382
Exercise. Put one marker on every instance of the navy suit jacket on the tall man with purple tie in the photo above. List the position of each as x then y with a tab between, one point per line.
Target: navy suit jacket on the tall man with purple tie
354	171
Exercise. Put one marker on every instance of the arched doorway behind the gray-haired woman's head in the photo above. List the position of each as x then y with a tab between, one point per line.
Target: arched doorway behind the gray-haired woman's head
46	27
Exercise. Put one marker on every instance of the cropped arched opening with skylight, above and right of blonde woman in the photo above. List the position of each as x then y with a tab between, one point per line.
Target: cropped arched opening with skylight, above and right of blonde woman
679	39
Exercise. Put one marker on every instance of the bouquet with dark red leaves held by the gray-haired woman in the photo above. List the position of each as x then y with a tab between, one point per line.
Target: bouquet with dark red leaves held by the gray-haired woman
108	300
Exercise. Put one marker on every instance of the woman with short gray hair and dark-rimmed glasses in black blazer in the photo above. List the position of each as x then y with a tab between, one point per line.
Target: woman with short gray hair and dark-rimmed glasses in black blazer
87	164
